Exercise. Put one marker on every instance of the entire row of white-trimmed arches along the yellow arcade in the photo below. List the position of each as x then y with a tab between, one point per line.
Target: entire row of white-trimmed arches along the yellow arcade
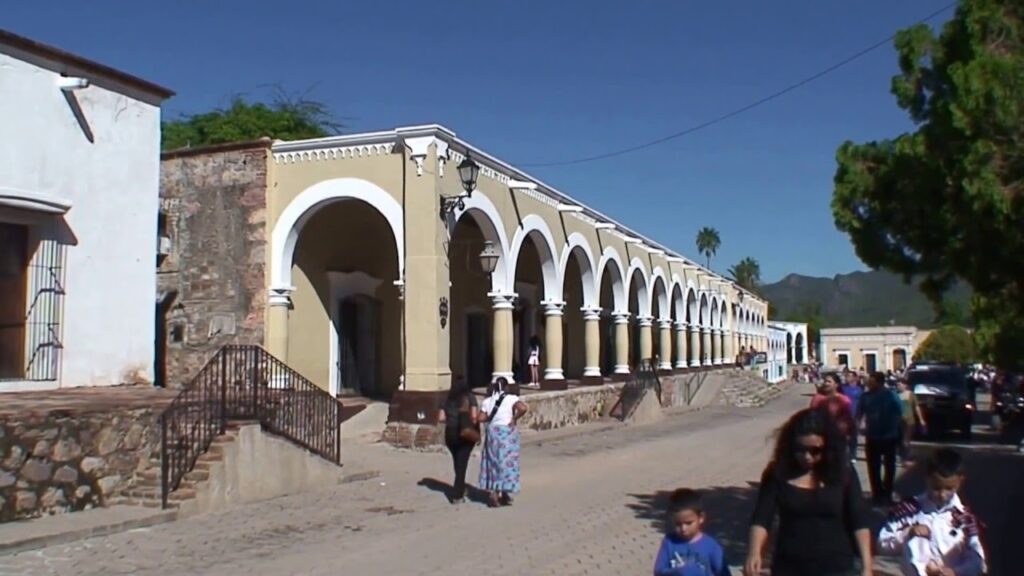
337	258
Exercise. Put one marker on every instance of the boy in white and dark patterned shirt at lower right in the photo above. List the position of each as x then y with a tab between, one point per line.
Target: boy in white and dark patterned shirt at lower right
934	532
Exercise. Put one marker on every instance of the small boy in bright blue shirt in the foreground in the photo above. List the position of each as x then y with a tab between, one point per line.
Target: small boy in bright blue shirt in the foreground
687	551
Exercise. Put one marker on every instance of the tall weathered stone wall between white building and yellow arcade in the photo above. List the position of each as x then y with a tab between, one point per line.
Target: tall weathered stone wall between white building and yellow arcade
214	212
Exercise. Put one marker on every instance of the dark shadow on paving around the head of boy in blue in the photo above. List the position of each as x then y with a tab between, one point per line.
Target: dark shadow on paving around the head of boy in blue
729	510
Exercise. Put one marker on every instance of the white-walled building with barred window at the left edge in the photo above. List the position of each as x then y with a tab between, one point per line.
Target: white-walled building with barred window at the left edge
79	188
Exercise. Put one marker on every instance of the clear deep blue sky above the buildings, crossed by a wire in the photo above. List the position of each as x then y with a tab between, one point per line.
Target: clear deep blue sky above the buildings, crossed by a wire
549	80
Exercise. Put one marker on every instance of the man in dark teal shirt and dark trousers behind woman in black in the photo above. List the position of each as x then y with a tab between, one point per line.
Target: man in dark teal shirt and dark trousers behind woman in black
882	412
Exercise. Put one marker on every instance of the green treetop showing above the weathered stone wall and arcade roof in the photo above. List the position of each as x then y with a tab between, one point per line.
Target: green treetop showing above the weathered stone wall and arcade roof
285	118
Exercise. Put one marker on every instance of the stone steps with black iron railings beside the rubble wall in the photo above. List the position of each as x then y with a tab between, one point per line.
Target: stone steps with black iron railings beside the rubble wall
146	488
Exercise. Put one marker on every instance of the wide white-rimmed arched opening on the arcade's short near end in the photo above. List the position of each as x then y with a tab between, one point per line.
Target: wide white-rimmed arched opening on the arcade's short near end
344	267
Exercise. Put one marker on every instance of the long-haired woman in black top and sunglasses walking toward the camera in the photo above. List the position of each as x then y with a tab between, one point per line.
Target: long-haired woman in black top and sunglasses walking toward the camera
812	487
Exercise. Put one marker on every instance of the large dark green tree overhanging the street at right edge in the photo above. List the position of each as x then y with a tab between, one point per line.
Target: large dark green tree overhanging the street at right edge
948	199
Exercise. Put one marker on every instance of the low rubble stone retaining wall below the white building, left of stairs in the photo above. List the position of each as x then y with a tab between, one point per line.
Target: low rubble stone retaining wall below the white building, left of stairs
58	463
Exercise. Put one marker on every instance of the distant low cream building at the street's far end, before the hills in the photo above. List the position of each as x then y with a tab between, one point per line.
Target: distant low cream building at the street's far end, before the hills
871	349
